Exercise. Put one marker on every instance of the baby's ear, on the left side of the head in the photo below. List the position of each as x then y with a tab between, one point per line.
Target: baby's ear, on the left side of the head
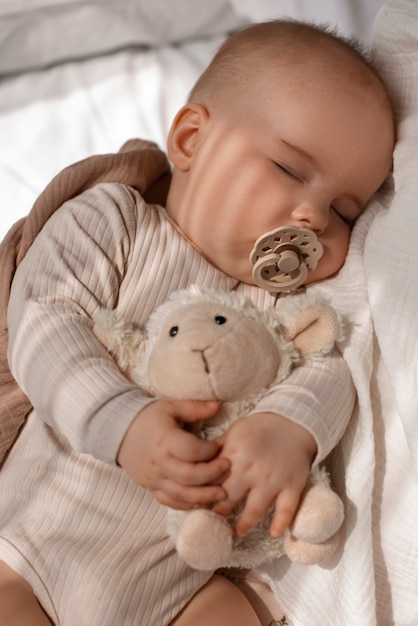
184	132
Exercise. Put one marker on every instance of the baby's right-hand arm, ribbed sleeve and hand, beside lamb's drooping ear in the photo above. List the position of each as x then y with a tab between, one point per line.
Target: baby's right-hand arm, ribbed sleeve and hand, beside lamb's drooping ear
272	450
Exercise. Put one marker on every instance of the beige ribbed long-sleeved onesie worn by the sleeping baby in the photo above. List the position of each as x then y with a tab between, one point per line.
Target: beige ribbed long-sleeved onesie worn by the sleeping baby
93	544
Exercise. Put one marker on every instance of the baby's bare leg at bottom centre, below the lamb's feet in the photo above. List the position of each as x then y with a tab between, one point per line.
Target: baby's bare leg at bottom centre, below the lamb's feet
217	602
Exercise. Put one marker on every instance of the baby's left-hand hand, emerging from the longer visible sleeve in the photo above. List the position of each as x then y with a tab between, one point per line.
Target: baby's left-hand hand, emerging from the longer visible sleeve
174	465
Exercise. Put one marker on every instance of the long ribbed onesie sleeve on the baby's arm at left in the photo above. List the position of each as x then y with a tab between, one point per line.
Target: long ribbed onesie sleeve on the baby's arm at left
76	264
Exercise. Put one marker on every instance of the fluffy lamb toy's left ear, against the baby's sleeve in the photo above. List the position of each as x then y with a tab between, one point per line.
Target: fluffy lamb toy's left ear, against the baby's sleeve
123	340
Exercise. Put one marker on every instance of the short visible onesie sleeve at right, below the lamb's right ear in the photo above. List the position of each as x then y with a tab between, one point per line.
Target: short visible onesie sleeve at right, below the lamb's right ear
319	396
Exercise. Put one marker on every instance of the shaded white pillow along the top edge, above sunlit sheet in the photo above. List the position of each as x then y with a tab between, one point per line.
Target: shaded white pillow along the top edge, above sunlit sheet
38	33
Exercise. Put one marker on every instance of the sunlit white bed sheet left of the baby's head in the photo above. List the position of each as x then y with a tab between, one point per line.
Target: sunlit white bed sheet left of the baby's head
53	117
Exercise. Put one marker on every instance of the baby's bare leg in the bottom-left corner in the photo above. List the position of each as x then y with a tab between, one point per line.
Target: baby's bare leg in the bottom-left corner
19	606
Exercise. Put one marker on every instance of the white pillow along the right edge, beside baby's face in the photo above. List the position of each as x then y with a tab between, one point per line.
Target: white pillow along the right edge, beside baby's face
391	254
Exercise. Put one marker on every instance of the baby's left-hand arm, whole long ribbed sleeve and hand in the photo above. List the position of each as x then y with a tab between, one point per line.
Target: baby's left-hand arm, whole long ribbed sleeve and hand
75	266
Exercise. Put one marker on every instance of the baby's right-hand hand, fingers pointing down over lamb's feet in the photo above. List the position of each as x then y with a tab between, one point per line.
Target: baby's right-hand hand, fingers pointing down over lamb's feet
270	460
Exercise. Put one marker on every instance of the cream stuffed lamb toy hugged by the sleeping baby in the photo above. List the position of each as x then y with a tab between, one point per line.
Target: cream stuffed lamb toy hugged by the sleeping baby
207	345
